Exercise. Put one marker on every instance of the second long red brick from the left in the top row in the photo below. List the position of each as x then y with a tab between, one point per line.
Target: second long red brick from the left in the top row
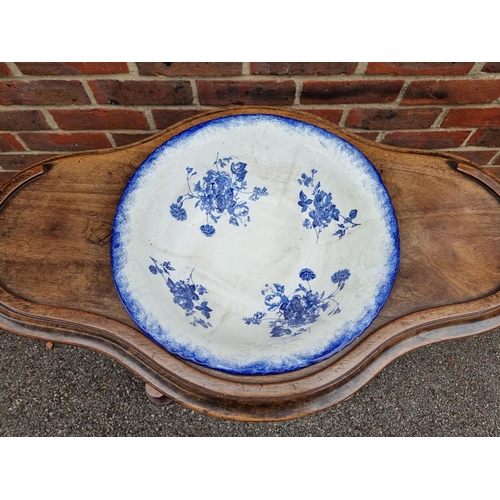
190	69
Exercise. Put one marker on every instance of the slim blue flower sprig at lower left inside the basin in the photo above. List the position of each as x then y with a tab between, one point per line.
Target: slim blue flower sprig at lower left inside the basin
186	293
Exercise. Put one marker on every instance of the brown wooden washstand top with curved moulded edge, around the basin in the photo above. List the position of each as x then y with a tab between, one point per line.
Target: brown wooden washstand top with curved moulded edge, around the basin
56	280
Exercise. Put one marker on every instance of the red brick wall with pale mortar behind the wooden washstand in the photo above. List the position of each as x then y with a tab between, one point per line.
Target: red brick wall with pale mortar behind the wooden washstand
51	108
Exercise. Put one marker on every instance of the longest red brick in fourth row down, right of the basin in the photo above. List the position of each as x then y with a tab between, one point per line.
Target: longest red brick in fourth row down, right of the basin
429	139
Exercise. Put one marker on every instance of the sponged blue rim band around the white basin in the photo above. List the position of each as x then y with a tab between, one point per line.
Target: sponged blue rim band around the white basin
159	333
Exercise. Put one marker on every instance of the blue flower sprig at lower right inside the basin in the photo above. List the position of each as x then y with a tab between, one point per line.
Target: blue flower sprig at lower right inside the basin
294	312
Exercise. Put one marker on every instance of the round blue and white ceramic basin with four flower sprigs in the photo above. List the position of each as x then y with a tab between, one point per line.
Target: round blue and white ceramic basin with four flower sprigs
255	244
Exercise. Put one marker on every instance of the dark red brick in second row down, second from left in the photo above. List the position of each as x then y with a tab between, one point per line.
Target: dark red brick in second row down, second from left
137	93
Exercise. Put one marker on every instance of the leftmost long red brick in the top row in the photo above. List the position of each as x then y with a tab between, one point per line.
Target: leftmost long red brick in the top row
72	68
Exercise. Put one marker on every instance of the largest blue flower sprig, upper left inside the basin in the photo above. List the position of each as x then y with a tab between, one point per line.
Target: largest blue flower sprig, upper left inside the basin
218	193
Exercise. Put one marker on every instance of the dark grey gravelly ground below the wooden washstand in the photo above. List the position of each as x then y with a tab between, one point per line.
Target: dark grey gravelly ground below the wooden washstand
447	389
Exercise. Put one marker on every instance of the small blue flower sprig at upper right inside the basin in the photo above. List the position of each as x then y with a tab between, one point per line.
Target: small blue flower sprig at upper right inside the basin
322	211
